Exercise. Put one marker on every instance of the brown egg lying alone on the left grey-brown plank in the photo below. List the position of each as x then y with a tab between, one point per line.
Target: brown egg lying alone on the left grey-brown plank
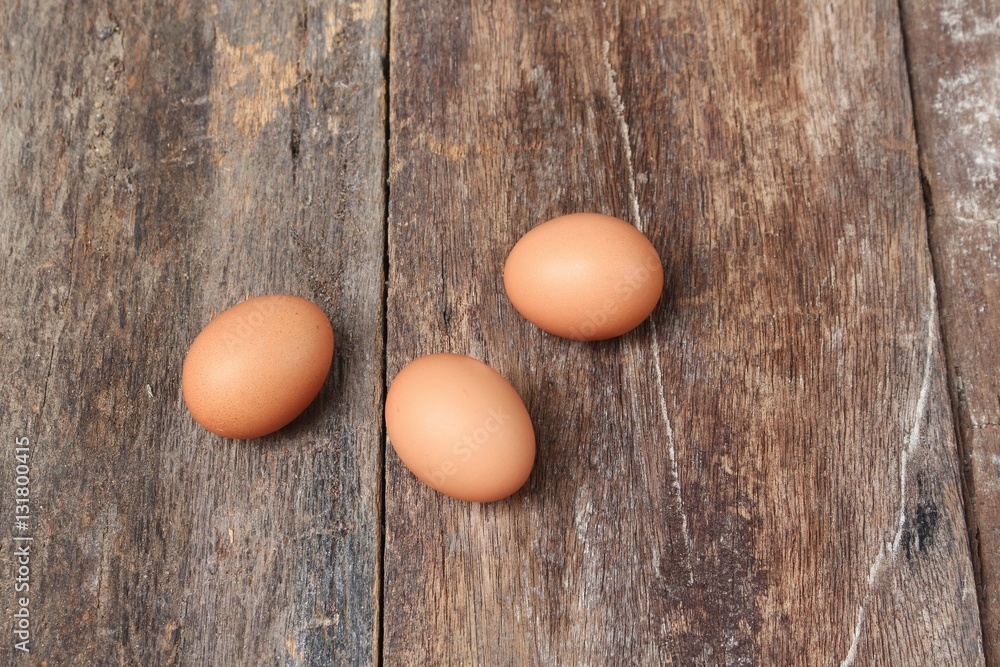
257	366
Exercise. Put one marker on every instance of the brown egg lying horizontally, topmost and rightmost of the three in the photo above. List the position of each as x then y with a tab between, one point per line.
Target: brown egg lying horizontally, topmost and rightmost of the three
584	276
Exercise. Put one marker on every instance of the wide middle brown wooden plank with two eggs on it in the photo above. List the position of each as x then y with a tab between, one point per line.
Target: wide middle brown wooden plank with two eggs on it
764	473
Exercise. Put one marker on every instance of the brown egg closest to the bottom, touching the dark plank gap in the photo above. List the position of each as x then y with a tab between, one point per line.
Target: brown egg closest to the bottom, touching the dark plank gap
460	427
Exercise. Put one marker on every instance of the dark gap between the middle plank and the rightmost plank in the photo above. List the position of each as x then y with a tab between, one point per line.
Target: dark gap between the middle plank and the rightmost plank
971	521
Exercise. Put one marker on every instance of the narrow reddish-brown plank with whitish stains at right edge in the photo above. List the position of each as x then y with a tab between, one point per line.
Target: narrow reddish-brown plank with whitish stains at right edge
953	48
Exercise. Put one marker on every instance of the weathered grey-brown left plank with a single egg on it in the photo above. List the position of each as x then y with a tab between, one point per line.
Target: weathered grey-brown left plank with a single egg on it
160	162
